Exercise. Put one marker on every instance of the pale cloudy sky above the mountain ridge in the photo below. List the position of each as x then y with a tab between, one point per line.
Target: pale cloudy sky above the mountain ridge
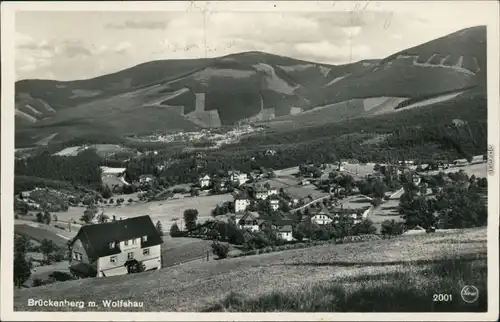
80	45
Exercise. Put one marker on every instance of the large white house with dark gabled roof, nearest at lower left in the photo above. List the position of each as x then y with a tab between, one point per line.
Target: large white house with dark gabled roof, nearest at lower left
110	249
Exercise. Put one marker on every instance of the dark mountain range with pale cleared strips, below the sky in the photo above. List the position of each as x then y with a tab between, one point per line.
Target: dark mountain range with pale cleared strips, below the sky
172	95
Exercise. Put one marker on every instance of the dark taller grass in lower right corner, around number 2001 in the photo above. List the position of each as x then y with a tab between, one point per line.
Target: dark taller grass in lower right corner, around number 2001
408	288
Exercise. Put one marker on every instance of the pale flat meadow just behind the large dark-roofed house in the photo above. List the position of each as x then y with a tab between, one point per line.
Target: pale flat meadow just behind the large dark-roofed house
164	211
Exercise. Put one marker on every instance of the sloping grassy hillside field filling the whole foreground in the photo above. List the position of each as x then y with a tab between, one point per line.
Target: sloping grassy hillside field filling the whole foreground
370	268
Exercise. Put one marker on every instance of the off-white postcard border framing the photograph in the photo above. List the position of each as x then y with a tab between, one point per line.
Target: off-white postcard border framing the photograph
490	11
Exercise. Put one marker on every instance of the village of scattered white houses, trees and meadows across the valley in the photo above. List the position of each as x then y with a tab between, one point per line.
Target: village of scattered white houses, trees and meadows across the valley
287	206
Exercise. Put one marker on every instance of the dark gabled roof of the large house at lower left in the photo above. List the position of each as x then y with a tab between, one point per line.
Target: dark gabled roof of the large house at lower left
96	238
